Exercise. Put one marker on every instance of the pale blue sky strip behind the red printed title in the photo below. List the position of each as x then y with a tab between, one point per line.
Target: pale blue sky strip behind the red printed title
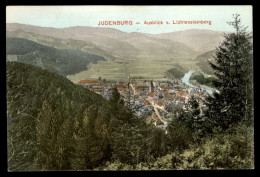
67	16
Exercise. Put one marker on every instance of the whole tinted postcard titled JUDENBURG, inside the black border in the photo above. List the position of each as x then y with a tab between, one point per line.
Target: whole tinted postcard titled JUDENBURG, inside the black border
129	87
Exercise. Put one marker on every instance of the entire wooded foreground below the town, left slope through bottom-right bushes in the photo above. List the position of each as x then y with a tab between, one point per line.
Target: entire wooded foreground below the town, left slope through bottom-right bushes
56	125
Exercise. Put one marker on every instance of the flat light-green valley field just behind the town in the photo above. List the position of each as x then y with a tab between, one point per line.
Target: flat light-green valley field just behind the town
119	70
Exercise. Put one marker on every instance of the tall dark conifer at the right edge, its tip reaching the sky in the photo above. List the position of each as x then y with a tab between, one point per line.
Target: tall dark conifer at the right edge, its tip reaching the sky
233	68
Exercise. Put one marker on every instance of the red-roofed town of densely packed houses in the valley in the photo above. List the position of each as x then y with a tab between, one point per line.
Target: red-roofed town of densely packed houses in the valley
146	97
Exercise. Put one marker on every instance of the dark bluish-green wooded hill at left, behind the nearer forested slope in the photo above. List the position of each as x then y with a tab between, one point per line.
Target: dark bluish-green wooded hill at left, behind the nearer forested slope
61	61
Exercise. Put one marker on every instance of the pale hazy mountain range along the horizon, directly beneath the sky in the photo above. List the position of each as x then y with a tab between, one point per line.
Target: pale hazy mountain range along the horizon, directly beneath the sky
186	44
